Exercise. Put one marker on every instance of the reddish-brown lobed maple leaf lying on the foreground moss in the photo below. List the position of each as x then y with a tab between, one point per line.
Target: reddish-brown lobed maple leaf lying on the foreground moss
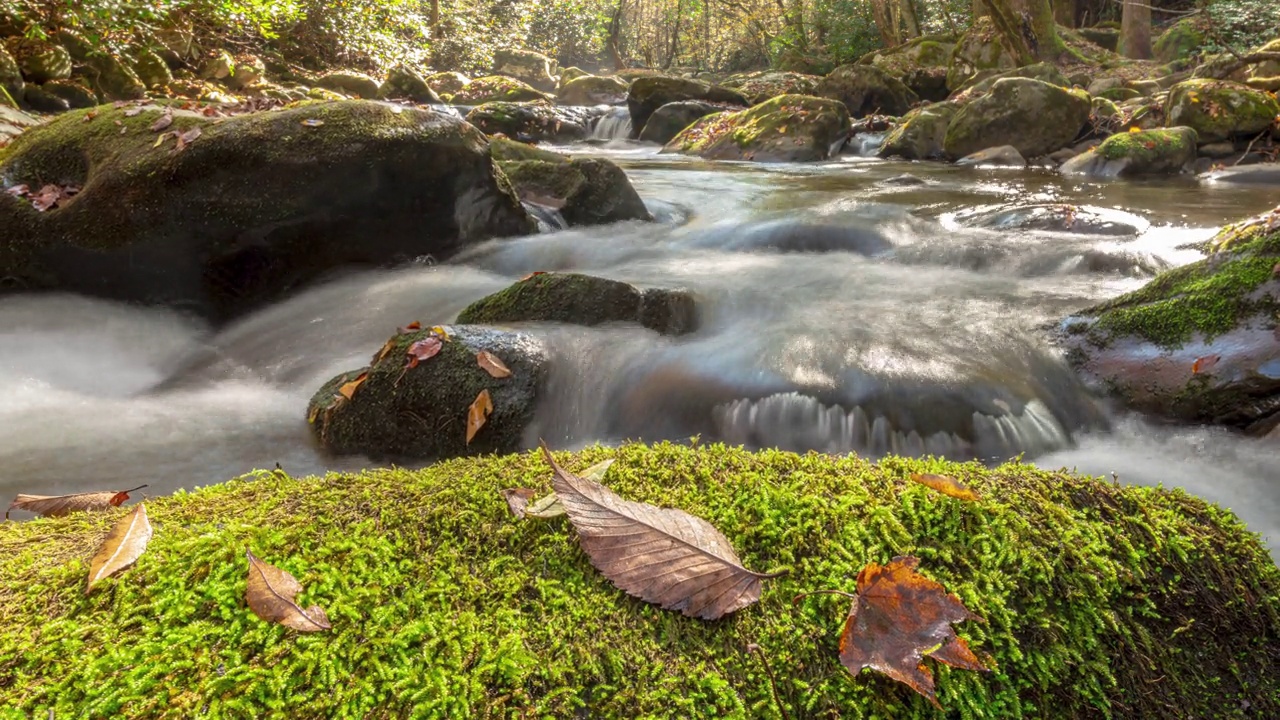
900	617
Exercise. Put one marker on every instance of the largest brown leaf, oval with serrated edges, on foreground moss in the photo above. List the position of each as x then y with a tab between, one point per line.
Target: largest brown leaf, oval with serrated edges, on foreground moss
661	555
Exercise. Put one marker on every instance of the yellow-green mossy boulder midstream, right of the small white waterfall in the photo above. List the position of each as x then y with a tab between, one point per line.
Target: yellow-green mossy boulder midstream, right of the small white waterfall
790	129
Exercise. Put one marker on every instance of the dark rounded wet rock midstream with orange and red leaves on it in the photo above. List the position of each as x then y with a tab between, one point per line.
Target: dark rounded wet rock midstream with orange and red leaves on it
422	413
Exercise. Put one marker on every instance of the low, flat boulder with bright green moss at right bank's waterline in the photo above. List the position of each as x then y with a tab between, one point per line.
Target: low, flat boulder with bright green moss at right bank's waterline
1127	154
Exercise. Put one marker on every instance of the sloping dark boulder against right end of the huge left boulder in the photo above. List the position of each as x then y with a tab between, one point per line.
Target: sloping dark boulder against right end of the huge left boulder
587	192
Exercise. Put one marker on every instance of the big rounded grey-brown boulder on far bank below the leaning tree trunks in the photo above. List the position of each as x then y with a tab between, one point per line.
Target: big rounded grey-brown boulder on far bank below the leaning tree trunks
1035	117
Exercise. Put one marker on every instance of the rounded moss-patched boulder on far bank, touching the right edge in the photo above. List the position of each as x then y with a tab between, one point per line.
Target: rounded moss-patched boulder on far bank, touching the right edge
1220	110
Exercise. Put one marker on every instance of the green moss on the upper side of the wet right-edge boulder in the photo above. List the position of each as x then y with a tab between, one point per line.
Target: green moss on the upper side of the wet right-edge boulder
1204	299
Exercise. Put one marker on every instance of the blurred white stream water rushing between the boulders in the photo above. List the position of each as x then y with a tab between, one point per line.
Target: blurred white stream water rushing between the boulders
844	307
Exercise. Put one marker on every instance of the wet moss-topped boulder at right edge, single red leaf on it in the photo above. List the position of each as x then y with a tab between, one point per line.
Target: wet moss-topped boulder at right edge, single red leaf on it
1199	343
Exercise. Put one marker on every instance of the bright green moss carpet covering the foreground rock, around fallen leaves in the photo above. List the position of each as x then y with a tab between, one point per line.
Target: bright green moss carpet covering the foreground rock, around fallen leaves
445	607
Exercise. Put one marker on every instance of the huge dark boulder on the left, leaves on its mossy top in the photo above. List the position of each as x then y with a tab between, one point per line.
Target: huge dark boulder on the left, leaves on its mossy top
250	208
